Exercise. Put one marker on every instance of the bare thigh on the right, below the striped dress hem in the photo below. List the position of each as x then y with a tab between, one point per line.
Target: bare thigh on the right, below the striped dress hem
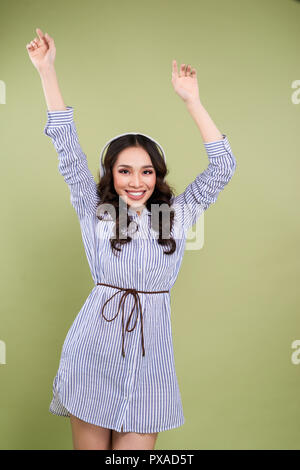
133	440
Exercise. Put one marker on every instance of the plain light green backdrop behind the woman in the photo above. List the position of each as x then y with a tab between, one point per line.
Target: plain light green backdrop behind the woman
235	303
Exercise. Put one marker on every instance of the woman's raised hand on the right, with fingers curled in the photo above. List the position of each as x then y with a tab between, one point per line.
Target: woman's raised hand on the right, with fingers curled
185	83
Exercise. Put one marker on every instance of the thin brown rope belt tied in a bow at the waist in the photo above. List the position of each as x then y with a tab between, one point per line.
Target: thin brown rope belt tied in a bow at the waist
122	301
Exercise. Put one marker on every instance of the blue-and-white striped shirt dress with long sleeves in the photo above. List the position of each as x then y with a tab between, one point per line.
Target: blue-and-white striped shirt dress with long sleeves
94	381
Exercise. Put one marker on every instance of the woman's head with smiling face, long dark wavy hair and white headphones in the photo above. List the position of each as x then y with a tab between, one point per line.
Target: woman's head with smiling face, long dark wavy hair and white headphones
134	171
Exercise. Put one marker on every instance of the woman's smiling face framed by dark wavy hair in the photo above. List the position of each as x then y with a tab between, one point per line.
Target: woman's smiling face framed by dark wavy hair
133	172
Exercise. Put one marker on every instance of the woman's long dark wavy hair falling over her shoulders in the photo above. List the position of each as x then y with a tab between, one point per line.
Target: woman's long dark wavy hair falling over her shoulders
162	194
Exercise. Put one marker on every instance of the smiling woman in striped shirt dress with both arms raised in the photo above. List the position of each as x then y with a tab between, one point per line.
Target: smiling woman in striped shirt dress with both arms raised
120	390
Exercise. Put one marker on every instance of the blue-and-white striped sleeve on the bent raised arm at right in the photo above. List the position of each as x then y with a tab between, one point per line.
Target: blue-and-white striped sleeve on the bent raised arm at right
204	190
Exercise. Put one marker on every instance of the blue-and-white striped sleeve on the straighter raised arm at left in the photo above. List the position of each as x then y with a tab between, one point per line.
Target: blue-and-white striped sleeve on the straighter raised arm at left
72	164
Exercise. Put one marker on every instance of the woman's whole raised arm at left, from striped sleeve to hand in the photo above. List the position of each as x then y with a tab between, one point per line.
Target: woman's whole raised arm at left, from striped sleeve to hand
61	128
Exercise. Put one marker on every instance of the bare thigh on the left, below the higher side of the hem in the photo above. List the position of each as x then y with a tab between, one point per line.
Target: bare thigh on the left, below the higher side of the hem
87	436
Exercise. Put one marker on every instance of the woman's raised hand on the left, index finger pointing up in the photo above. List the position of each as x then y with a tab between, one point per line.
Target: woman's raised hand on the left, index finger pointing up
41	50
